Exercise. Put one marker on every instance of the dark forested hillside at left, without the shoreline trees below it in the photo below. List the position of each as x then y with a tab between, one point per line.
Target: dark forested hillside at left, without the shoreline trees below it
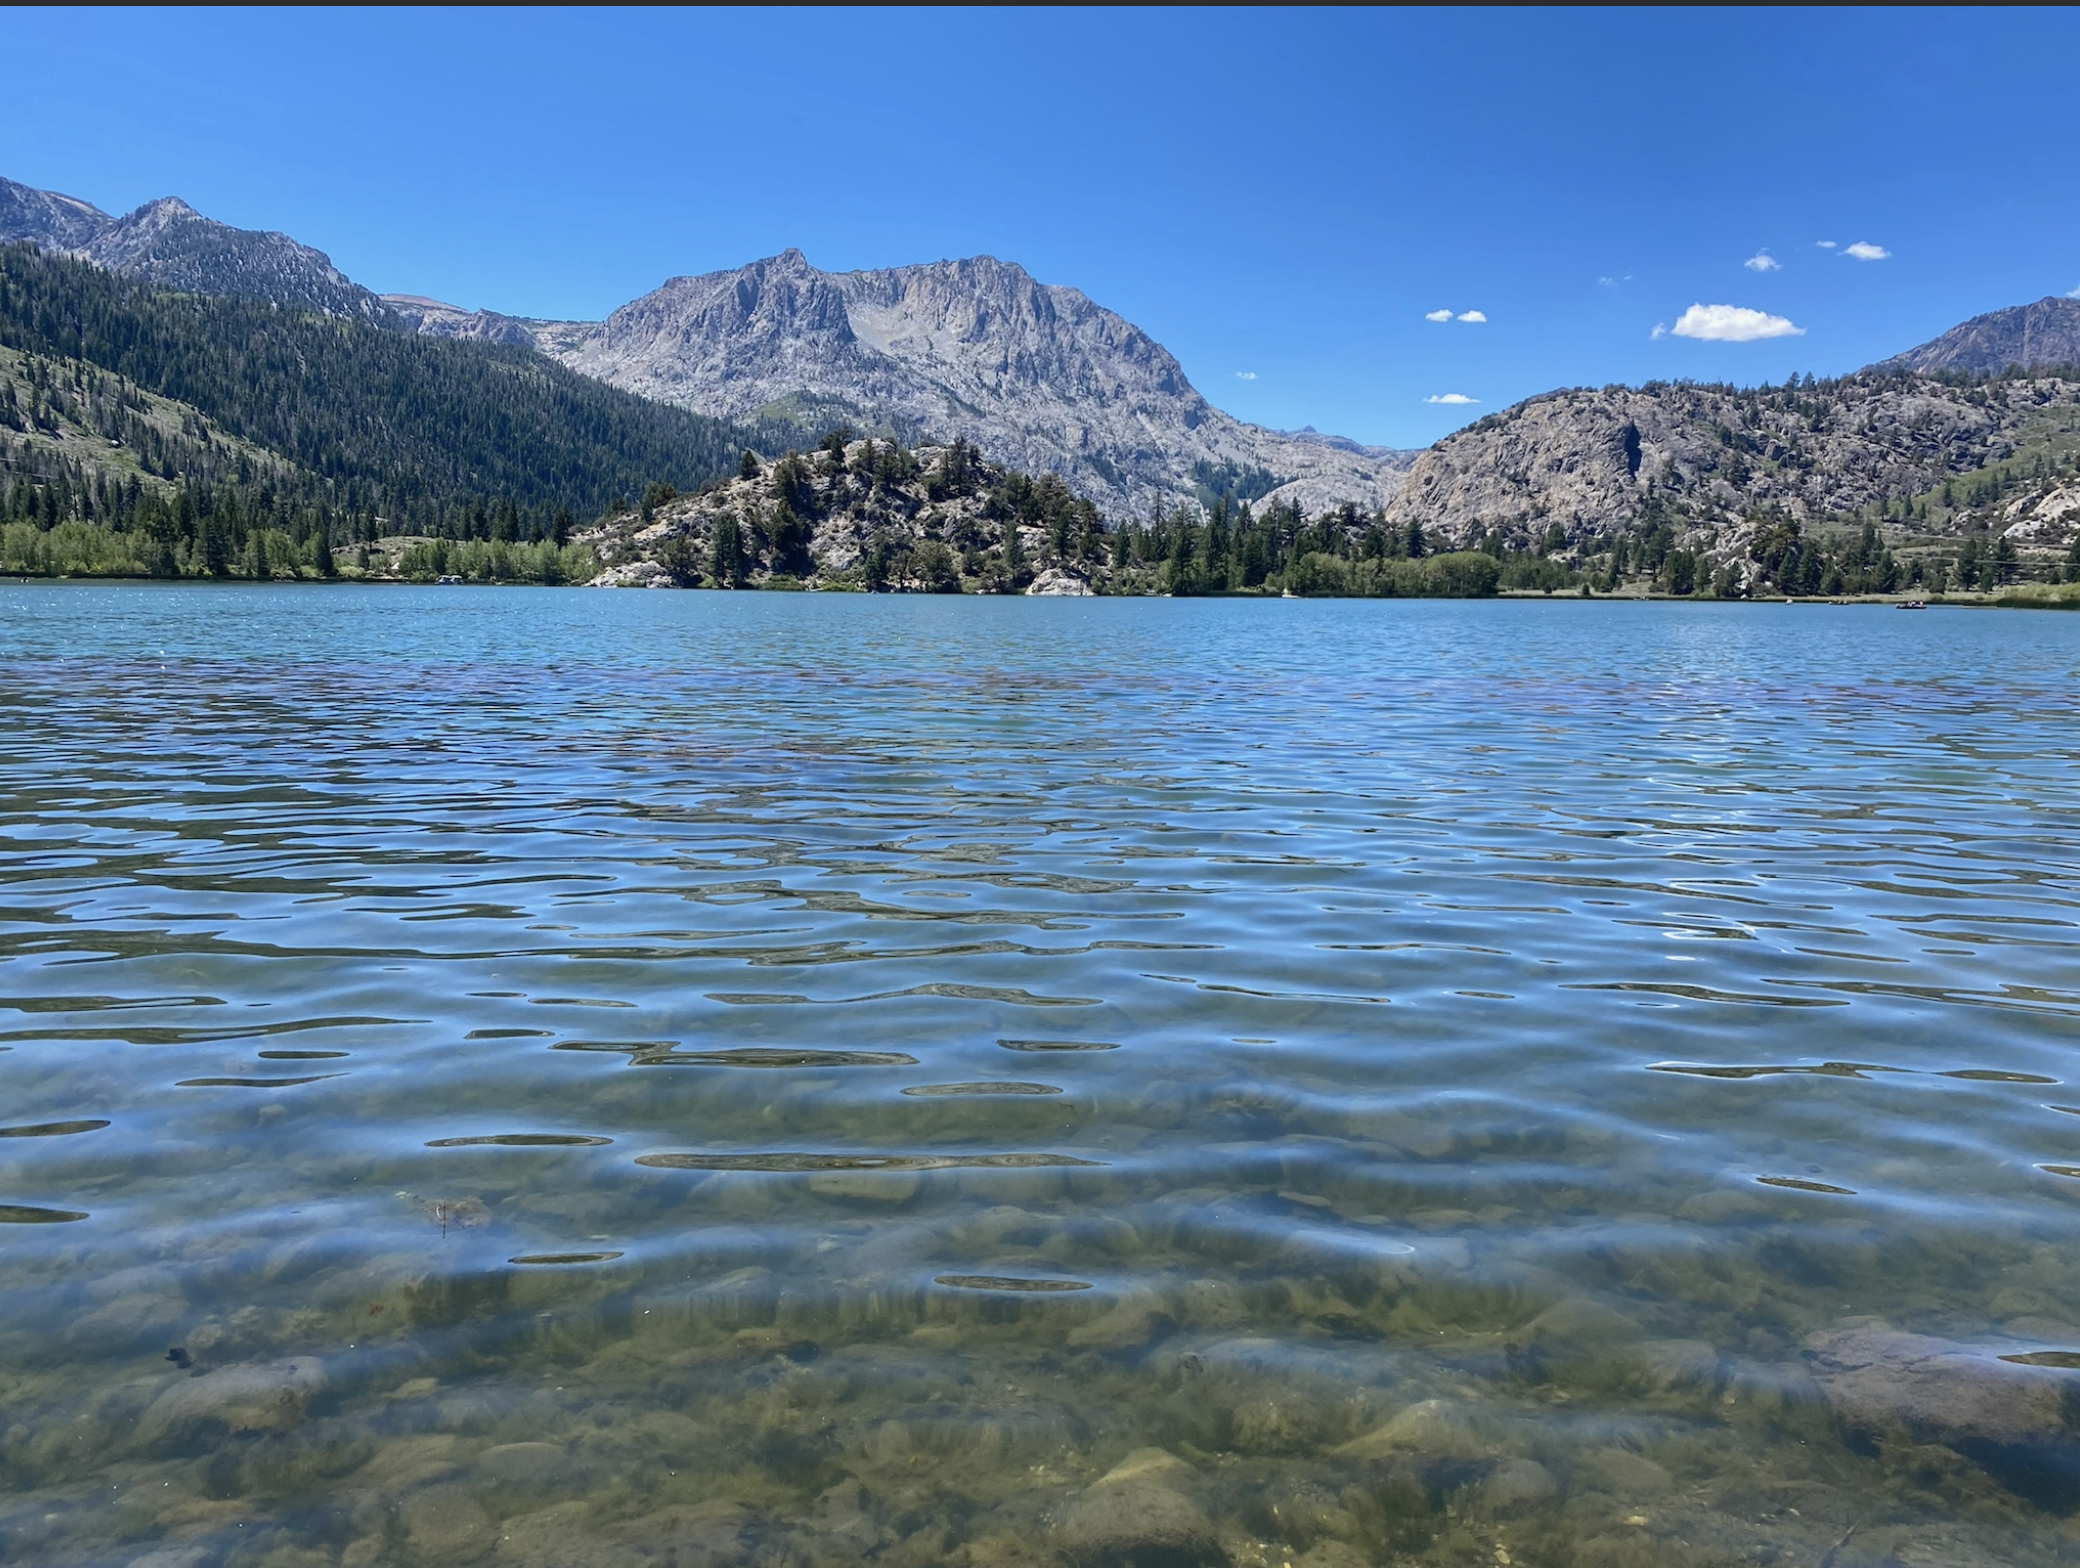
394	432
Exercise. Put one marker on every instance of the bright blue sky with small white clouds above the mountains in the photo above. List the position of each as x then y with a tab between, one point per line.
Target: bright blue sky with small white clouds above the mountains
1276	197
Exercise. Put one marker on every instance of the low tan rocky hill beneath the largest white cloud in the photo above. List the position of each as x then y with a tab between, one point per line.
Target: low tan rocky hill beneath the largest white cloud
1584	467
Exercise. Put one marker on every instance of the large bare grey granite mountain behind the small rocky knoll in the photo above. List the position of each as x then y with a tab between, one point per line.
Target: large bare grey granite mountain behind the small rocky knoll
1037	375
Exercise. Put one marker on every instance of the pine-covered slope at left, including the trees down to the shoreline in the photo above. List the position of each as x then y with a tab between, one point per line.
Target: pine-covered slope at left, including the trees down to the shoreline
163	434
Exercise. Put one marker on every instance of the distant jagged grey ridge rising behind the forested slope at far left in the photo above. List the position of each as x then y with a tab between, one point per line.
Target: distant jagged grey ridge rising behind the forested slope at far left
167	242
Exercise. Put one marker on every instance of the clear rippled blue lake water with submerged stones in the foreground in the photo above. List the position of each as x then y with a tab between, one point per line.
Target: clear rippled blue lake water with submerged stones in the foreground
698	1078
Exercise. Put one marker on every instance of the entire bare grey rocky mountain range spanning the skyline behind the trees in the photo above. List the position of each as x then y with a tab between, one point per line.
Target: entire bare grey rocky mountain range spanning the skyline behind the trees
1043	380
